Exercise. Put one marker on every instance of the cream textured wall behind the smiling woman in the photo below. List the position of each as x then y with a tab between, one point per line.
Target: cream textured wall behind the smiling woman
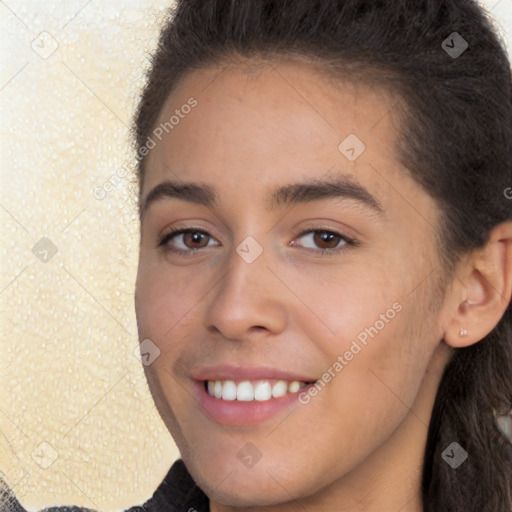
77	423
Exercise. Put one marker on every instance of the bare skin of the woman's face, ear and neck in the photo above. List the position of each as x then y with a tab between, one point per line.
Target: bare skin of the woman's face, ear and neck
358	445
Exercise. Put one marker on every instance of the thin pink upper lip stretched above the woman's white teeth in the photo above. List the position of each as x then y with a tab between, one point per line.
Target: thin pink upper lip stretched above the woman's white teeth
232	372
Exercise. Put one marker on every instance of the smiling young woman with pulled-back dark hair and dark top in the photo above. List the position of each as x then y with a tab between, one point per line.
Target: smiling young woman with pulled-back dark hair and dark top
325	267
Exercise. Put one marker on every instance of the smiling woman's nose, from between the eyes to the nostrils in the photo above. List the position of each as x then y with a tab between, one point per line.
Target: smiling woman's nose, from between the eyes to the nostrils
246	301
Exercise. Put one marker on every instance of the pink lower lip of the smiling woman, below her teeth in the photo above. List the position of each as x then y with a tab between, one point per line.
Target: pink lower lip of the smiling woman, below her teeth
236	413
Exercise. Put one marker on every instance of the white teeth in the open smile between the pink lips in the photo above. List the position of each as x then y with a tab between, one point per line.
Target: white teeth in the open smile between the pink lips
252	390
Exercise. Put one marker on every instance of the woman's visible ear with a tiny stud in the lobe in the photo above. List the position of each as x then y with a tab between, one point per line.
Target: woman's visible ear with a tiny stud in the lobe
481	292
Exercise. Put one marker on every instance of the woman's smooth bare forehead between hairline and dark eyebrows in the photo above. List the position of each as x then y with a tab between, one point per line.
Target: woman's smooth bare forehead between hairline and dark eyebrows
251	113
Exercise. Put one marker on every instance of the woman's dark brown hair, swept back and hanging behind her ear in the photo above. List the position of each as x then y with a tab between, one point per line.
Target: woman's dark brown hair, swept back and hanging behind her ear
455	141
